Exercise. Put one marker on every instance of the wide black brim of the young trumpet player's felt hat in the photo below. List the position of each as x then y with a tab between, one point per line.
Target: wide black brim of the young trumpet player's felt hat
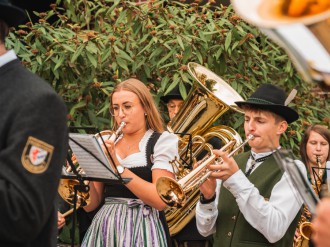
286	112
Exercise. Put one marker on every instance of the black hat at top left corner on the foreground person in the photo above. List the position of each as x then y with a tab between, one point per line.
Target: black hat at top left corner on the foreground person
11	14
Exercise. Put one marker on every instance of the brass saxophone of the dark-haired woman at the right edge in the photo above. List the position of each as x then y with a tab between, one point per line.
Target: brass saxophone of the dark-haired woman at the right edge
305	226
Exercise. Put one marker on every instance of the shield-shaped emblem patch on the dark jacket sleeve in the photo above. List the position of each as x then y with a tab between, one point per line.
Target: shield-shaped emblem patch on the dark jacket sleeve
36	155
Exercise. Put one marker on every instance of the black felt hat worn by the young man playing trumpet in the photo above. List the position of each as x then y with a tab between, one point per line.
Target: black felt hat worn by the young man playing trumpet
271	98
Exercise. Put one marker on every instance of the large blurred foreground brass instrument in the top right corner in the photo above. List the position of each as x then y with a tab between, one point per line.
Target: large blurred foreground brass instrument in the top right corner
289	22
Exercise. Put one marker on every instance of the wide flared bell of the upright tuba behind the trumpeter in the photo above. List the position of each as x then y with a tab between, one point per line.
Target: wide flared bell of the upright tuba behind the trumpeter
209	98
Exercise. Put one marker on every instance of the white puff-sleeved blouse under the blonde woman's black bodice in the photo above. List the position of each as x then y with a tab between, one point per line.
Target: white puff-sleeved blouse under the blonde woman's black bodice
165	150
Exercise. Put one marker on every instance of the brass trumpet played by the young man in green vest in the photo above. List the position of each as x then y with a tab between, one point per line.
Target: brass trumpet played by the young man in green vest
173	192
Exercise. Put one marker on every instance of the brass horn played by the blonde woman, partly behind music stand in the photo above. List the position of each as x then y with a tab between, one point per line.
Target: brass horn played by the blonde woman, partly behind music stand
66	187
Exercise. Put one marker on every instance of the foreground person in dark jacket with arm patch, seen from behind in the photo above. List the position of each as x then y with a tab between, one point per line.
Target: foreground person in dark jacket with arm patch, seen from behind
33	147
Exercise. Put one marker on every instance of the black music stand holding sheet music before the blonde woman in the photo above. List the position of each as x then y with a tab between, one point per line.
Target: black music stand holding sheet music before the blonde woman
109	167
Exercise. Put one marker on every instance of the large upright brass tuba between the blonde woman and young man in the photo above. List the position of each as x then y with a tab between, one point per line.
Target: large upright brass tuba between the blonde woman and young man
209	98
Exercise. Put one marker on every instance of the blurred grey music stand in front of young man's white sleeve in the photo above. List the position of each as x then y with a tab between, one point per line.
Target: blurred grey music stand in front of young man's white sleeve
286	162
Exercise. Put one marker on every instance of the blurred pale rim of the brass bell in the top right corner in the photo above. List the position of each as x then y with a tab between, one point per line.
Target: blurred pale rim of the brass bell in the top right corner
263	14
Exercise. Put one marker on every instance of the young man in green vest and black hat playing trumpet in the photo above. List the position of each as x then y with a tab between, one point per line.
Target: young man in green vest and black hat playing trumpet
253	203
